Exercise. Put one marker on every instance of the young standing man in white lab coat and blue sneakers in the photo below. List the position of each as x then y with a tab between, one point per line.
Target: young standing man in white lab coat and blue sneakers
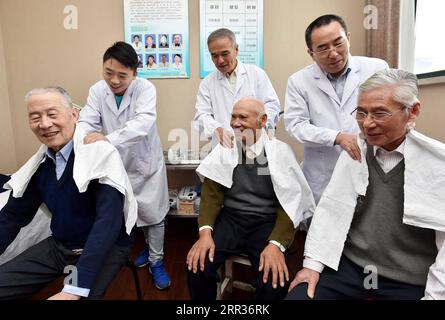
122	109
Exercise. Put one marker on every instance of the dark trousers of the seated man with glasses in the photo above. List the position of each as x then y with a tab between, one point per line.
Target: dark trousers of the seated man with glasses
348	283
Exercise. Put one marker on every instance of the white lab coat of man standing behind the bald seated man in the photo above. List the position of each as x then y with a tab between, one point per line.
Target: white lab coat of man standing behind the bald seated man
215	99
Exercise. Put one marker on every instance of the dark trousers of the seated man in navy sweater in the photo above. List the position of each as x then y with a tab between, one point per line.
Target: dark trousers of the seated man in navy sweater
41	264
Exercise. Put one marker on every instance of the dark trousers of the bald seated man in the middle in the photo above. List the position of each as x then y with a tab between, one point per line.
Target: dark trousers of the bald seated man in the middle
236	233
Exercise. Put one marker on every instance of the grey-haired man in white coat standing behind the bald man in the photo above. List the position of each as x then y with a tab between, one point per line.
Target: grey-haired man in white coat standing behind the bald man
232	81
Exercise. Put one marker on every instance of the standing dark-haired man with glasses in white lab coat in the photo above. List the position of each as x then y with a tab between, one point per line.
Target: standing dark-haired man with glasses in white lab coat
320	98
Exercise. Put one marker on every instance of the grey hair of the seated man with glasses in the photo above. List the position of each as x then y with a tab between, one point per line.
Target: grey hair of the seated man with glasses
405	83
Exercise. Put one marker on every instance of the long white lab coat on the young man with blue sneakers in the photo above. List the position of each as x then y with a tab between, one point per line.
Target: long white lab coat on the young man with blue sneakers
132	130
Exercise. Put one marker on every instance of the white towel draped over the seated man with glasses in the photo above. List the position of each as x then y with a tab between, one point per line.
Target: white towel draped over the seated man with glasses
424	205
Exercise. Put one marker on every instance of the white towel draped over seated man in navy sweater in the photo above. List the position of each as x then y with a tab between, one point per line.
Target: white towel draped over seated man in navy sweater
99	160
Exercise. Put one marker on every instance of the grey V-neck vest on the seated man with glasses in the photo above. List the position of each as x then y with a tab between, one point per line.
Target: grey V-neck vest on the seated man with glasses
377	235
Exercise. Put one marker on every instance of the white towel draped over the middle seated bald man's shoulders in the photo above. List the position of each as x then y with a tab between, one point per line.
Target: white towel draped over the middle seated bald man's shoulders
289	184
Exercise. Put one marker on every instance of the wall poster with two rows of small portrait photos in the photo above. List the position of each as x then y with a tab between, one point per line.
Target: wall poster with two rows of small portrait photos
159	32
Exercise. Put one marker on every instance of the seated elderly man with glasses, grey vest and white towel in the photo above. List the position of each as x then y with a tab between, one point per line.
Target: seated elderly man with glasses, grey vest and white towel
379	226
